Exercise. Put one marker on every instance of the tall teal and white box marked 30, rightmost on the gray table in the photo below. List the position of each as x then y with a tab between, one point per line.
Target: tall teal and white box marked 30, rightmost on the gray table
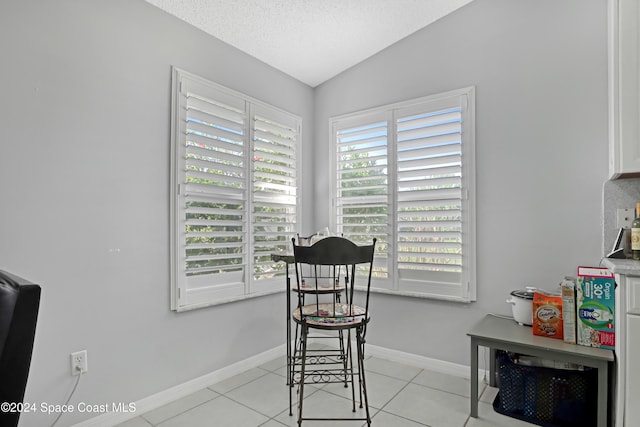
595	307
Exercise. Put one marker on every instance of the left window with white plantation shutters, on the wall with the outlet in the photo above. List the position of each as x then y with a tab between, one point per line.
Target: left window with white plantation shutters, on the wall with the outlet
234	193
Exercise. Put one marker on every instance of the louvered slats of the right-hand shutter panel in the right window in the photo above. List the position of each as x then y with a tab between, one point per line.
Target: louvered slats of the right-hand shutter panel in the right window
429	191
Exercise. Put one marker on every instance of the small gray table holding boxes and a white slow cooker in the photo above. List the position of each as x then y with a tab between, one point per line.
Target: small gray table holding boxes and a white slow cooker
505	334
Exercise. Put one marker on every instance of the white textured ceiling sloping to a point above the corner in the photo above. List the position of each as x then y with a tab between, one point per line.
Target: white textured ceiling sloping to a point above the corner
311	40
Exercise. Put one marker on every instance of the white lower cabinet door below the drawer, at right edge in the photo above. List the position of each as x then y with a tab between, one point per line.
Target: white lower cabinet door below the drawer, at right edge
632	395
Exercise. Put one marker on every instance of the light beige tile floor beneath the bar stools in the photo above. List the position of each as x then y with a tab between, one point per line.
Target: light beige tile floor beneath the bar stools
399	396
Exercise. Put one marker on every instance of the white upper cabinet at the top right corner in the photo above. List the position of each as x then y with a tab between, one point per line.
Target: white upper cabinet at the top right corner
624	88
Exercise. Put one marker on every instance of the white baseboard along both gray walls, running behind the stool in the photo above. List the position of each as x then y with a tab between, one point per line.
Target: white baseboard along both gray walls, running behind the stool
181	390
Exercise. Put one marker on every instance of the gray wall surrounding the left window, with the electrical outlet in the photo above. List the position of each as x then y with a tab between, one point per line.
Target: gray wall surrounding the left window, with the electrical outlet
84	172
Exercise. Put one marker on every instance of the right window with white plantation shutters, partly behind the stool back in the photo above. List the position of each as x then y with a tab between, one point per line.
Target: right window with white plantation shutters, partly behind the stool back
405	174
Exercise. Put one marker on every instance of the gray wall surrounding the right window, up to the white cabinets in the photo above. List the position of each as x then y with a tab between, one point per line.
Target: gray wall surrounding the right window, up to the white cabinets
540	71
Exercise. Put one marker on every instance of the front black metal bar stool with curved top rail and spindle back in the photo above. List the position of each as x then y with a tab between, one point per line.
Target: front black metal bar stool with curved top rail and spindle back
333	261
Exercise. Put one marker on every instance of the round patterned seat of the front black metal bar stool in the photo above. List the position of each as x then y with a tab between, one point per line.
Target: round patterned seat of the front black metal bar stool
323	316
